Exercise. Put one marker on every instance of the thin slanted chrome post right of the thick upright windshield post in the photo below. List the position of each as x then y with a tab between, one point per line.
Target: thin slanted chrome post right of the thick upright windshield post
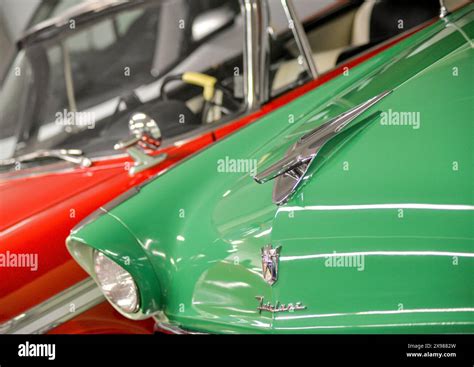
300	37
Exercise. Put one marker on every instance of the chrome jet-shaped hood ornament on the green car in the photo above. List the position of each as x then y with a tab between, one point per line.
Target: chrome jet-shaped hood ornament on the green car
291	170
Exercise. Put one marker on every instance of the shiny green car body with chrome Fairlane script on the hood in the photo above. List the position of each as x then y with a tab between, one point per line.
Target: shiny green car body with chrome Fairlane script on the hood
398	199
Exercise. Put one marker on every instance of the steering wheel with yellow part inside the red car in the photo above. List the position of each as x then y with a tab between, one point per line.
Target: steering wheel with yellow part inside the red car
208	83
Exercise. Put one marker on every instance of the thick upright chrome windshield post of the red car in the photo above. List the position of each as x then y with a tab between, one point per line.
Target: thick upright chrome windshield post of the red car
256	52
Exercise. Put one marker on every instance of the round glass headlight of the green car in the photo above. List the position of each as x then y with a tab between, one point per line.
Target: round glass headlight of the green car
116	283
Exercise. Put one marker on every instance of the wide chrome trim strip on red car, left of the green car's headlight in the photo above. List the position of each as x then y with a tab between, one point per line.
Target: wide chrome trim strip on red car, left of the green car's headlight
55	310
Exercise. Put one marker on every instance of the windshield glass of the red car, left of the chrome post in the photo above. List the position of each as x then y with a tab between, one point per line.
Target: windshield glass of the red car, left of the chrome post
72	91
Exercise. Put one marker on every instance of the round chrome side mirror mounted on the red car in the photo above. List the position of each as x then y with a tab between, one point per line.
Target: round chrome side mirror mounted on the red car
147	139
